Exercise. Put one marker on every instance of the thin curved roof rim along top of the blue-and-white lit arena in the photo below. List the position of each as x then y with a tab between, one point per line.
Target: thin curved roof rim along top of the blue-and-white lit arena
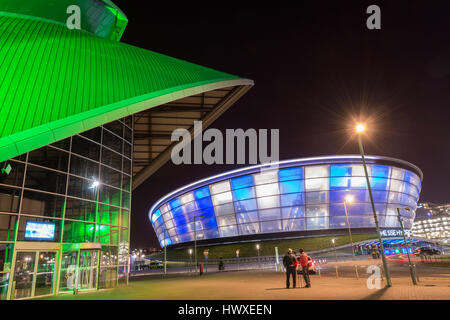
285	164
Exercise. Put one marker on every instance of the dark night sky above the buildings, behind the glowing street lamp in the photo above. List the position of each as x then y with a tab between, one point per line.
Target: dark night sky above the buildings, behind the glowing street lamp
316	69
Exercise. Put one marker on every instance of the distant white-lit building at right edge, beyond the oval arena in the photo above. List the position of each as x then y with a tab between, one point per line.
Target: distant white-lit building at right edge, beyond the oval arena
432	221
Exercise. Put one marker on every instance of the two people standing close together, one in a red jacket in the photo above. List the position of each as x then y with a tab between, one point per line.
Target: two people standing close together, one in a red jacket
294	264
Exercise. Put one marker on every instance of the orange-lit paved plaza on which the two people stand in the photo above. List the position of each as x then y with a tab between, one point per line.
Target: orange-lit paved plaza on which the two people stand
434	284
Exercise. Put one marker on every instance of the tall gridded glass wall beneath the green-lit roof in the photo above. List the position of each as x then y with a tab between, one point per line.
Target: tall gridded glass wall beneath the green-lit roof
80	188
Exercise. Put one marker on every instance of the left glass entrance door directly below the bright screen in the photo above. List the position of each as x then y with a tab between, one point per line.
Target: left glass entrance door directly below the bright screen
34	274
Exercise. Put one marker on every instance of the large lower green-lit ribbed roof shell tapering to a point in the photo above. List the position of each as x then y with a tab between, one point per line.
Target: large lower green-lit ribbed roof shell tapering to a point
57	82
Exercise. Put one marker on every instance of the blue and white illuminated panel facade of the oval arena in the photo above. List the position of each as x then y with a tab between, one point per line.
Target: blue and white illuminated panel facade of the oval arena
297	196
